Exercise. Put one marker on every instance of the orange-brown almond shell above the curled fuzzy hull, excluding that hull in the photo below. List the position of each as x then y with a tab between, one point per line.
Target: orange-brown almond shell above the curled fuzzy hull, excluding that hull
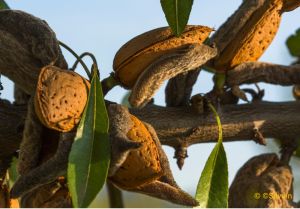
138	53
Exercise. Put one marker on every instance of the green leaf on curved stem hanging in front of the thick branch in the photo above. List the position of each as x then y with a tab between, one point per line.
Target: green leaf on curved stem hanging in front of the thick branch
212	189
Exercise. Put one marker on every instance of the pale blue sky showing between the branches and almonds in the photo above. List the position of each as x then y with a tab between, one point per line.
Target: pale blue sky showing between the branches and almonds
102	27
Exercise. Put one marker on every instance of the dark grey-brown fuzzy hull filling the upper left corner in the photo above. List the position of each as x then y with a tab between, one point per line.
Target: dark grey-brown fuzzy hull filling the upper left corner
27	44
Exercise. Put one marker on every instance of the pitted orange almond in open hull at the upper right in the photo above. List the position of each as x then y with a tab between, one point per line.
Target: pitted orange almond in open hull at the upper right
253	38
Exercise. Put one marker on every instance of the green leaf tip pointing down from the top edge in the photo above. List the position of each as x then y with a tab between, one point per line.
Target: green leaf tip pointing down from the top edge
177	13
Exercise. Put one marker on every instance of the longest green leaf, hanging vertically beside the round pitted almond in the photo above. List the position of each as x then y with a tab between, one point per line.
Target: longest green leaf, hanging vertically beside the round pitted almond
90	154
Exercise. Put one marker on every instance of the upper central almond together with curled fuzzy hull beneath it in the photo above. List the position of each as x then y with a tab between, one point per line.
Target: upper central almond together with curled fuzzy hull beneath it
146	61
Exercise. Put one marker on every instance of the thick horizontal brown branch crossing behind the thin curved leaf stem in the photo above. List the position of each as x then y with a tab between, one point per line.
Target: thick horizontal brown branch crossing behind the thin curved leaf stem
181	126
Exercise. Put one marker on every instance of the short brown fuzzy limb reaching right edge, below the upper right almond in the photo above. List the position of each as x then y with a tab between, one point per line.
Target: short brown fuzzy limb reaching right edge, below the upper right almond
252	72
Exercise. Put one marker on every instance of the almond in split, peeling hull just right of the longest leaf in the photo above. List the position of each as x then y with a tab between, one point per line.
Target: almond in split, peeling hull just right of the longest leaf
145	169
